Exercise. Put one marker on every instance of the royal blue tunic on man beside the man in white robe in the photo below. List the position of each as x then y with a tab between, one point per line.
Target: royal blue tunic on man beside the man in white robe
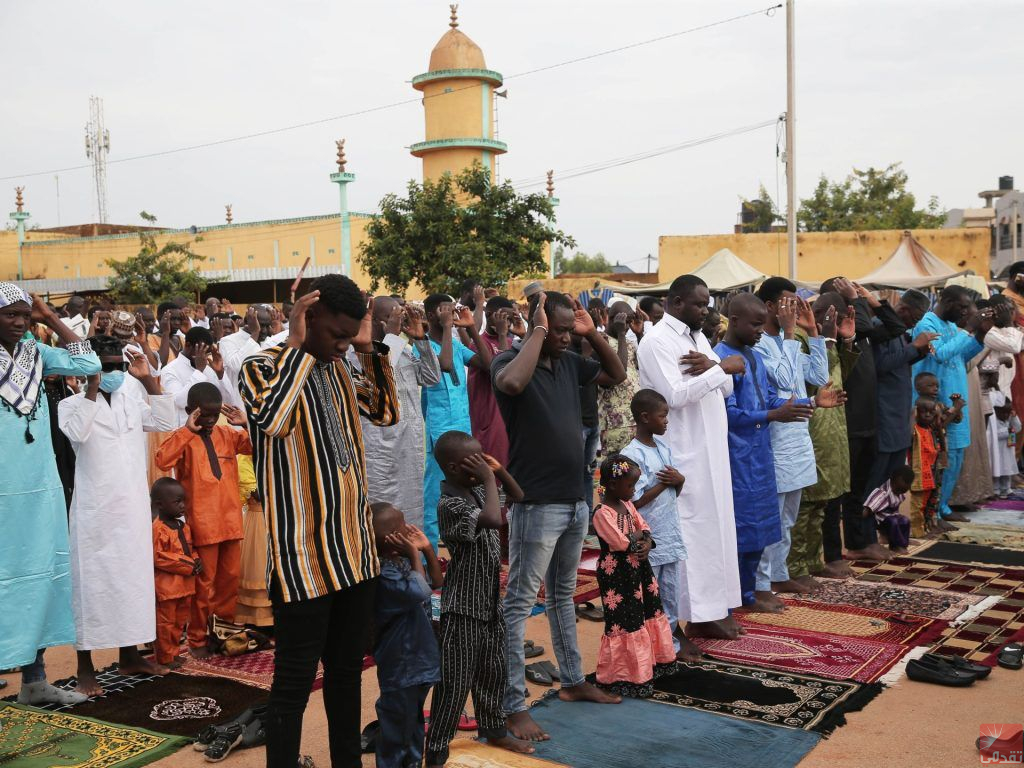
754	488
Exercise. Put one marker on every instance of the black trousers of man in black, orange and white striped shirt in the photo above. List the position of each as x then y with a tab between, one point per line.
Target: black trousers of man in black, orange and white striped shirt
334	630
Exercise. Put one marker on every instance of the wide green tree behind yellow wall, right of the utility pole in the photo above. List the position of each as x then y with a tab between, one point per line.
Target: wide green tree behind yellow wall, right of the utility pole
868	200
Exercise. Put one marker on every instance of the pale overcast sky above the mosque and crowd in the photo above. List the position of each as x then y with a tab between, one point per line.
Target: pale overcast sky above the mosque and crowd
933	84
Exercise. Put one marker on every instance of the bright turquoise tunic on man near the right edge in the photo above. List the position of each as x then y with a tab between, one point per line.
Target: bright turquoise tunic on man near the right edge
952	352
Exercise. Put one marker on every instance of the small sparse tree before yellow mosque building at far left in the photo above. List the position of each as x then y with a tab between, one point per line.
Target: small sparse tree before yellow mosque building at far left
156	274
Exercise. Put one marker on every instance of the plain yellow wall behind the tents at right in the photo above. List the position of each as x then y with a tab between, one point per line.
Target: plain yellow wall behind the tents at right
824	255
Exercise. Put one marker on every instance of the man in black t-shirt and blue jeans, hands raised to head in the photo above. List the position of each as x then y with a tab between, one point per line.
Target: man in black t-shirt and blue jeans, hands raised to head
537	385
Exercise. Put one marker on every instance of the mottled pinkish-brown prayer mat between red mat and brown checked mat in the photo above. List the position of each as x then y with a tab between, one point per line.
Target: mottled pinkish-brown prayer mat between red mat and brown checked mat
918	601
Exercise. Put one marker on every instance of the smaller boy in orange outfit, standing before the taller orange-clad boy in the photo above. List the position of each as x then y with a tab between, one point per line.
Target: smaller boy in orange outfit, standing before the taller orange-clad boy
176	568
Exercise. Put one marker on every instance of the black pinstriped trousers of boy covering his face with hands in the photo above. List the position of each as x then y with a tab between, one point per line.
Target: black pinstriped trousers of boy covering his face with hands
473	662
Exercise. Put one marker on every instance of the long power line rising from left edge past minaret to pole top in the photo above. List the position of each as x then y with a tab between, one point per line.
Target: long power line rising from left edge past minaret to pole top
770	11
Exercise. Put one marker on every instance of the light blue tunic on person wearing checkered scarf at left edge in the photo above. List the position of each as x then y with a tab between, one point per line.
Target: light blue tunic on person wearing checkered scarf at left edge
35	568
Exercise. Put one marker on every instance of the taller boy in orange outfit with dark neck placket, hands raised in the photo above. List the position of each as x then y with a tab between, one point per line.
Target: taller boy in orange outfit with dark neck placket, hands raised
203	456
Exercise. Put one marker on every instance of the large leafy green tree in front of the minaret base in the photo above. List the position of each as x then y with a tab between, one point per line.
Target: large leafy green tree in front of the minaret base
452	229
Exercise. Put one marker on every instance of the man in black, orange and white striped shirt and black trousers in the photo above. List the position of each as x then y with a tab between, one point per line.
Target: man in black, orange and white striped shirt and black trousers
304	405
